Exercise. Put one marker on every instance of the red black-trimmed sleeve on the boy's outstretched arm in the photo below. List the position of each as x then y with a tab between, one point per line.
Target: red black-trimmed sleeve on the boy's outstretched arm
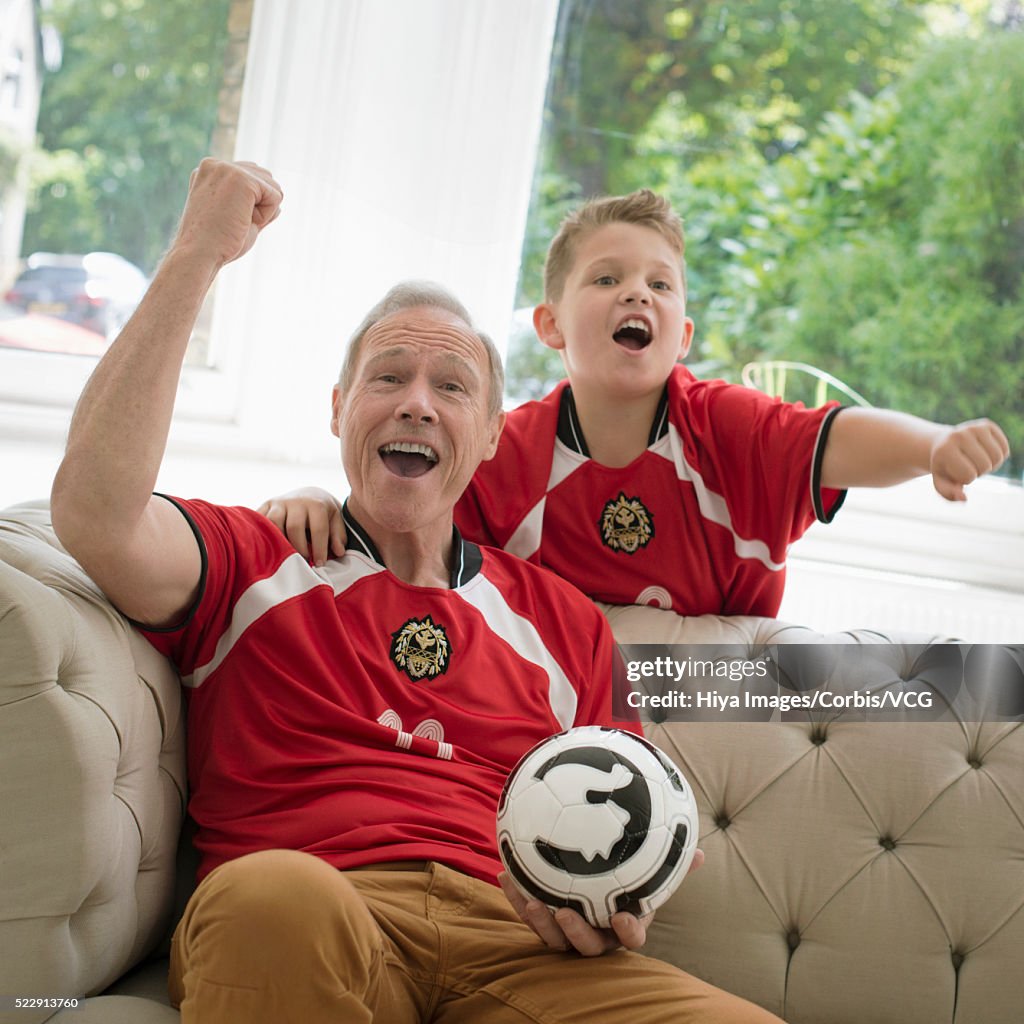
764	456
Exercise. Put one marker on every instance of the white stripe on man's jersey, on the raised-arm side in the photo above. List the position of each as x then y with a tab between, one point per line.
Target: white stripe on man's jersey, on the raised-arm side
294	577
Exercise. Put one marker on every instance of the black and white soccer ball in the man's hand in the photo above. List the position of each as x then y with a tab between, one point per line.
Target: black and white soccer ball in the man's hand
600	821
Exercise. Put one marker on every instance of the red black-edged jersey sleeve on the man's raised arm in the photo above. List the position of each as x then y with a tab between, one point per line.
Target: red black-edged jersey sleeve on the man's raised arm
237	550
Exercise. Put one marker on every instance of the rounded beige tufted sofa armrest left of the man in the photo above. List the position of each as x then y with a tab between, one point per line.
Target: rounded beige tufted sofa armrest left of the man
93	770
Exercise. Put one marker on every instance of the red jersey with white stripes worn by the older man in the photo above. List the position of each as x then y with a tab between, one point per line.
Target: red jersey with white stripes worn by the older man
346	713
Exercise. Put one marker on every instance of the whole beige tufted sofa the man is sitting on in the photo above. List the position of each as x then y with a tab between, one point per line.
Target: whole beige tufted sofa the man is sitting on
857	873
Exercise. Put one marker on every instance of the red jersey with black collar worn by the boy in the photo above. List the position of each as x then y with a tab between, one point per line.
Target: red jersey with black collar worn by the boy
701	523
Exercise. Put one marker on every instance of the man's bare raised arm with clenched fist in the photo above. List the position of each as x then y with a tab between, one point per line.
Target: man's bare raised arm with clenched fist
139	548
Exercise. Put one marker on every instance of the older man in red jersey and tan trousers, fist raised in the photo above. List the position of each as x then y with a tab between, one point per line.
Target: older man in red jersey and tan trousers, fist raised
351	728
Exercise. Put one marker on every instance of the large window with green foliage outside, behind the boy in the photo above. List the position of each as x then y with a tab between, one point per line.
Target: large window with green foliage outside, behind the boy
849	202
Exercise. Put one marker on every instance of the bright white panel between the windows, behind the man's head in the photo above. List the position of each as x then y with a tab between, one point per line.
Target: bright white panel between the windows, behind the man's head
404	134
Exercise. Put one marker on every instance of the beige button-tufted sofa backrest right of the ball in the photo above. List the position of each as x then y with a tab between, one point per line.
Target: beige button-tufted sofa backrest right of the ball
858	872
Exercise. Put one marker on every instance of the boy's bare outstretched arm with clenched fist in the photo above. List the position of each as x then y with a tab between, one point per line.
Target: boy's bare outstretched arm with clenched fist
875	448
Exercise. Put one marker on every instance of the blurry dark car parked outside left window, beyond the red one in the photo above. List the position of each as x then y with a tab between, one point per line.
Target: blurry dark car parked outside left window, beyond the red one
99	291
